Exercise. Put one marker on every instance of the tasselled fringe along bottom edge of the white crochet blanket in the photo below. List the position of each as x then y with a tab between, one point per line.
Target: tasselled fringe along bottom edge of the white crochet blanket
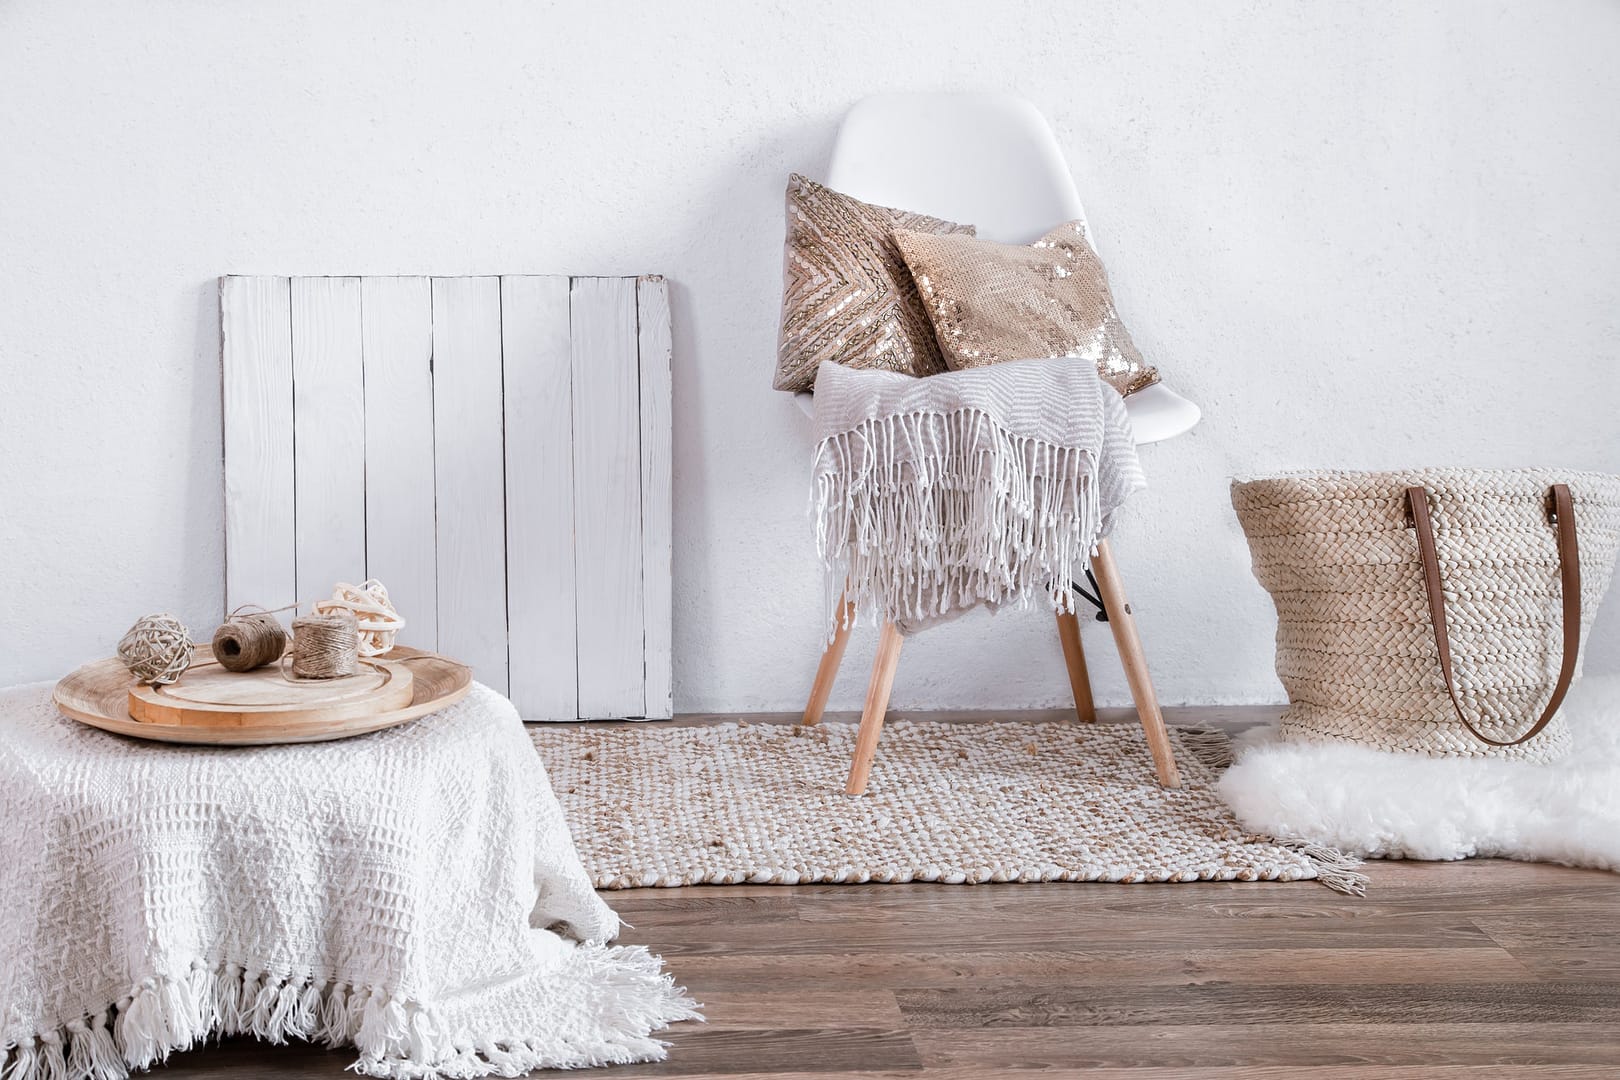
396	1037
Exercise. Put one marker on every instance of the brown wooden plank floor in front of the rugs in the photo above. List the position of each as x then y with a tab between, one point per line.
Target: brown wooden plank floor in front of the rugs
1478	969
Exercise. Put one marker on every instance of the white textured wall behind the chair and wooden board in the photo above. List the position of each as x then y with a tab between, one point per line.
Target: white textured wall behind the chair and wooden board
1362	236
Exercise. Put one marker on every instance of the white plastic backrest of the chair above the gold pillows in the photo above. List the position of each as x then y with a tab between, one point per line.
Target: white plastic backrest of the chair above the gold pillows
981	159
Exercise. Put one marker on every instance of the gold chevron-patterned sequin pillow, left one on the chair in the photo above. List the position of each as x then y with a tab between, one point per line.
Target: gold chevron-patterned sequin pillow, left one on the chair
846	292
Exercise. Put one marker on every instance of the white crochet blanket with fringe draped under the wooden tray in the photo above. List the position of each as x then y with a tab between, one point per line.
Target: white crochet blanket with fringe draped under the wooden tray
412	893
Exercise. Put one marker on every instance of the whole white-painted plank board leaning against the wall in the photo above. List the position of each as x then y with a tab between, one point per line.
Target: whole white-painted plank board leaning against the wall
495	451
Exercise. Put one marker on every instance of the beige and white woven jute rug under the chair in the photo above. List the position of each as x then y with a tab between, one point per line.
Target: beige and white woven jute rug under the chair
764	804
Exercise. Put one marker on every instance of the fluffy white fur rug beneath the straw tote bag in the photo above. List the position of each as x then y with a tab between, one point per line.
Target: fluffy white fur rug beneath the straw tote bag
1384	806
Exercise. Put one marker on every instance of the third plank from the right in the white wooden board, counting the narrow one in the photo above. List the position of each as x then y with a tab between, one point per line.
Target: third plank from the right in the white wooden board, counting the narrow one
542	645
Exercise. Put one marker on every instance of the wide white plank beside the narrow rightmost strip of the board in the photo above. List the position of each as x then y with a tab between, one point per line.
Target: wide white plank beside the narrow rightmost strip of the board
607	498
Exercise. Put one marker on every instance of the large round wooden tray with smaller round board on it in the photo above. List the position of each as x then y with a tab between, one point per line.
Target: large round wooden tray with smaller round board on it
218	708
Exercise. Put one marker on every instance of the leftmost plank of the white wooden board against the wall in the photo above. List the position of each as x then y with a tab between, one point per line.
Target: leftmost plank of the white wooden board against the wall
258	412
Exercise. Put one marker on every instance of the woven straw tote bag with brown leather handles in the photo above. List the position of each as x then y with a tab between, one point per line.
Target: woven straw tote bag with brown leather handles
1436	611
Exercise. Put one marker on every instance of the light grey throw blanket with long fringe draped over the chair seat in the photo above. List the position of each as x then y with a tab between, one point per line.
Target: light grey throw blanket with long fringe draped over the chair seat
983	487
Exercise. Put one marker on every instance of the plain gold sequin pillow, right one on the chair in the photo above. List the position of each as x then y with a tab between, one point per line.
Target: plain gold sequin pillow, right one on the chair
1008	302
